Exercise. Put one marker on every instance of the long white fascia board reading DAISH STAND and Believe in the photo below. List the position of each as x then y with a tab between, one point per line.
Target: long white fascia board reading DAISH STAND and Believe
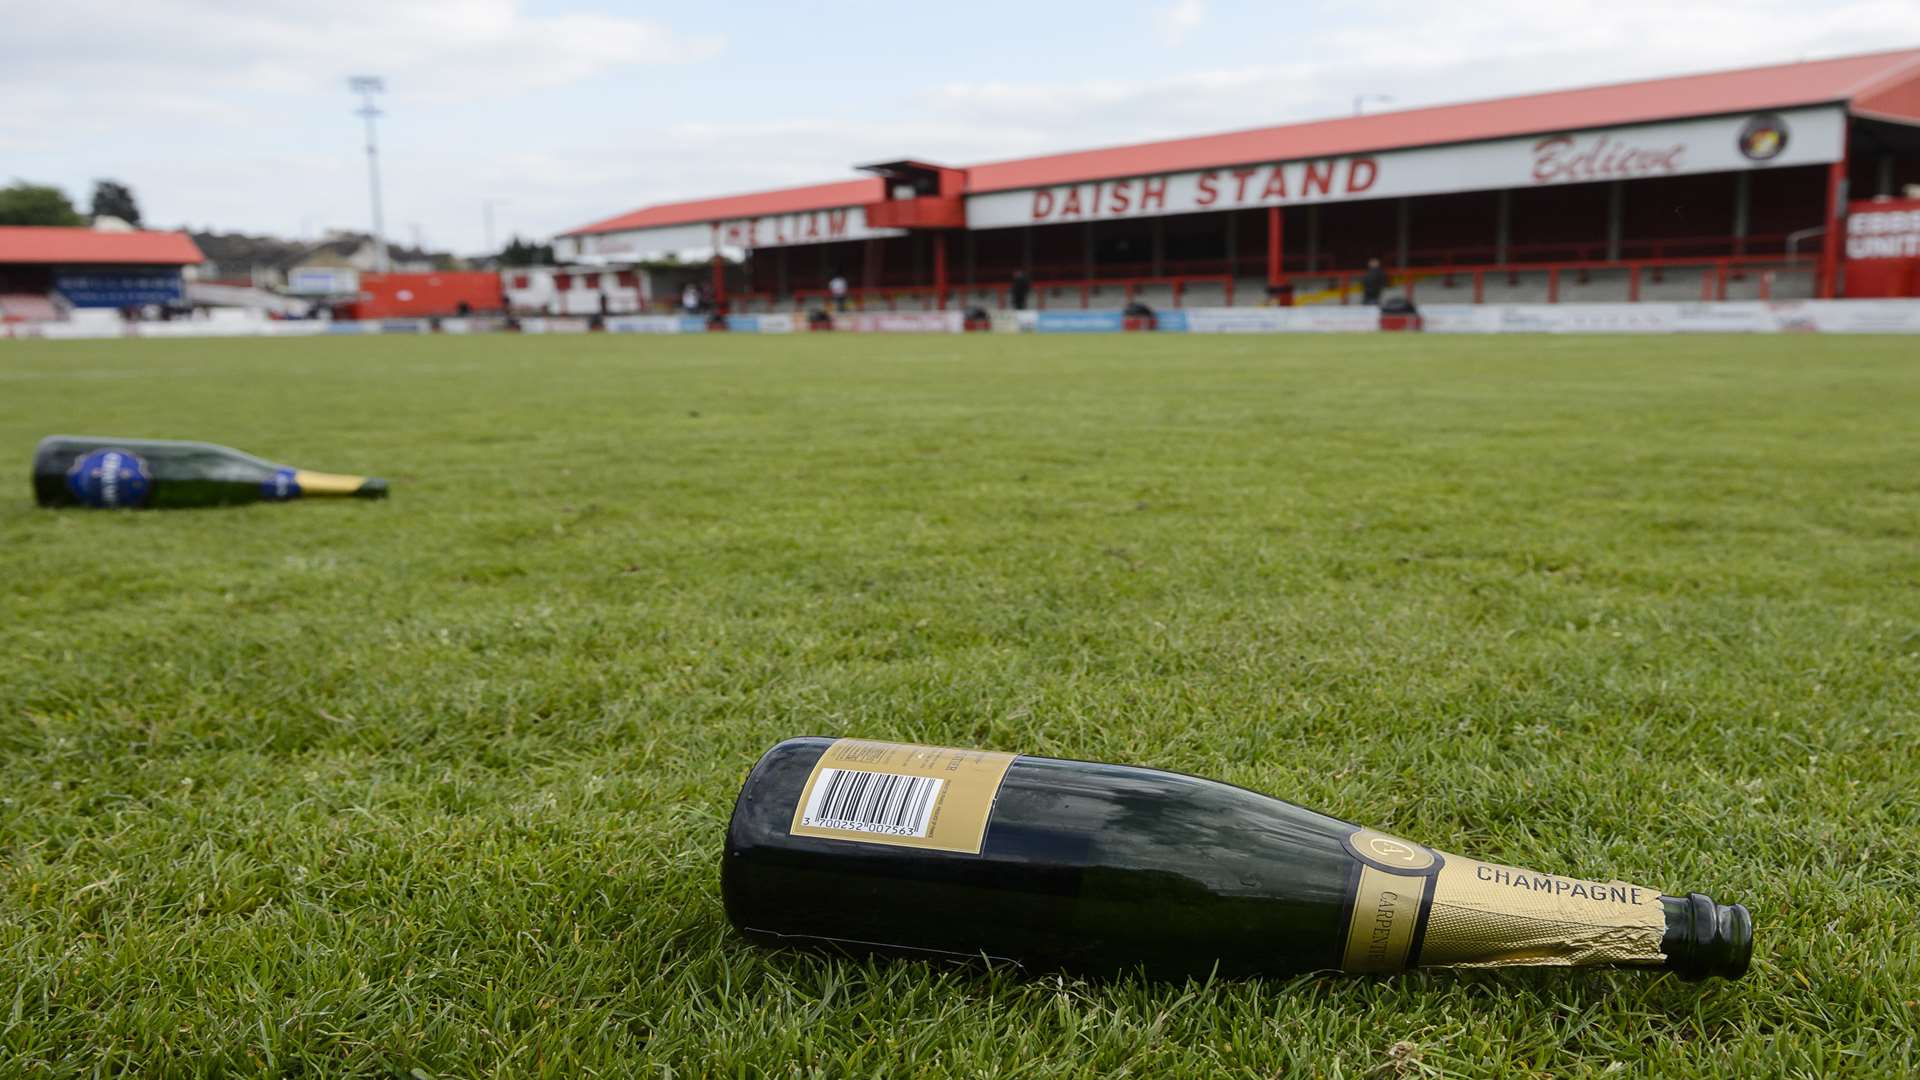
1717	145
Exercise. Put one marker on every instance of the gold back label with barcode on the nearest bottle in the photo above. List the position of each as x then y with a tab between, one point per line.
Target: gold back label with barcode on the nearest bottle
901	795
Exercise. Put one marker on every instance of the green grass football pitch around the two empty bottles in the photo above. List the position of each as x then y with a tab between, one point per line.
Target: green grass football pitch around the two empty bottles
441	785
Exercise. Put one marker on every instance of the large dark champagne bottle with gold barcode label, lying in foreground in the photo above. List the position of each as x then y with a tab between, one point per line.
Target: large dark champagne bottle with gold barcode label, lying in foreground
1092	868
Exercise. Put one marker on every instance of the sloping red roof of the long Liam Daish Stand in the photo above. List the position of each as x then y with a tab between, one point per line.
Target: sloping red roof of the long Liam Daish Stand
1883	86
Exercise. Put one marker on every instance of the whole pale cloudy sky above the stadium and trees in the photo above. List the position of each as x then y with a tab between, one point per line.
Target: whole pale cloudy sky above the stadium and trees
237	116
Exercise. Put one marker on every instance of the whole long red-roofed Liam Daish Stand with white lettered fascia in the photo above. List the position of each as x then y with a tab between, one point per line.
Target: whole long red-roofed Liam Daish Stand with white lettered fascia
1731	185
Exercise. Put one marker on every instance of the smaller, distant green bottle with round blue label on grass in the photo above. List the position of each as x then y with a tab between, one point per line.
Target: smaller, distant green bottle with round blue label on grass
160	474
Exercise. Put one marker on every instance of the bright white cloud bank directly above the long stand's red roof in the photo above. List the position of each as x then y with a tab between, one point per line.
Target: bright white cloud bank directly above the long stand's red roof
1422	55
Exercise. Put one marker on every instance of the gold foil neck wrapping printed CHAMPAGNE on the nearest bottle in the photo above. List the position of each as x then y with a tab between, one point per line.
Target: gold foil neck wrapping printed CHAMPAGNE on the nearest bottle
1418	906
